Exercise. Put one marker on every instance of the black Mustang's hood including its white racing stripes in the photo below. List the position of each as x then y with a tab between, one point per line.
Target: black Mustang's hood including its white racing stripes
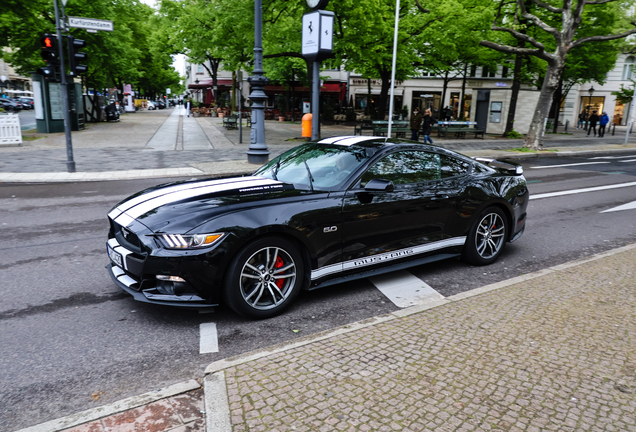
180	207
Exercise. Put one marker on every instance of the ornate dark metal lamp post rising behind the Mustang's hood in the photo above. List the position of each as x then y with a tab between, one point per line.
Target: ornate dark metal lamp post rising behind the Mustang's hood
258	152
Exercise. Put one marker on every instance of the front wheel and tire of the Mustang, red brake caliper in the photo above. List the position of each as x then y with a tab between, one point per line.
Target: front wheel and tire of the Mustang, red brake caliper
264	278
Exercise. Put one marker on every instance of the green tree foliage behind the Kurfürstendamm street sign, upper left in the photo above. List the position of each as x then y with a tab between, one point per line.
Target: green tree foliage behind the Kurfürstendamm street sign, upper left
135	53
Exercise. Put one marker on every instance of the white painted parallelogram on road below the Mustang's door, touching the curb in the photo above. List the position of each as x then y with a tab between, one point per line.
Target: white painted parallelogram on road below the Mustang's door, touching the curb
404	289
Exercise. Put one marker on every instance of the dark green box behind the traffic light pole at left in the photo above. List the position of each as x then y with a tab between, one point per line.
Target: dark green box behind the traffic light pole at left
49	105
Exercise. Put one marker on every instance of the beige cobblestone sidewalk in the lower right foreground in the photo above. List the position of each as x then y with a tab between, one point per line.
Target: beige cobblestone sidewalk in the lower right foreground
556	352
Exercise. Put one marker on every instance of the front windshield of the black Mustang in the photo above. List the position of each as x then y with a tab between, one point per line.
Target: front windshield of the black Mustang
316	166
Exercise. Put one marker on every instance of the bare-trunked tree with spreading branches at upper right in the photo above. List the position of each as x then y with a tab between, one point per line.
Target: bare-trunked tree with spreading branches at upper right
561	24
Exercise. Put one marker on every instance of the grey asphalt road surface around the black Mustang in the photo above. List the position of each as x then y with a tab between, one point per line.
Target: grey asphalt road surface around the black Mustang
70	340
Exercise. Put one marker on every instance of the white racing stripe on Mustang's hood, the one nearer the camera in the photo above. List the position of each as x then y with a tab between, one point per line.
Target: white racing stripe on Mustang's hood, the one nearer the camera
131	214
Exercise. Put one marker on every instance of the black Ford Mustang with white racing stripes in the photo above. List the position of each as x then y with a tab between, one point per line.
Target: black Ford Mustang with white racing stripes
321	213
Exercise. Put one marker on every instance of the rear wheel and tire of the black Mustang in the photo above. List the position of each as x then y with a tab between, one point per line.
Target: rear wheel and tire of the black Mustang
487	237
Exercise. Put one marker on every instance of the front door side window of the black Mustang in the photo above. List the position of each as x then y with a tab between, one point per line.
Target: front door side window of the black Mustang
405	167
